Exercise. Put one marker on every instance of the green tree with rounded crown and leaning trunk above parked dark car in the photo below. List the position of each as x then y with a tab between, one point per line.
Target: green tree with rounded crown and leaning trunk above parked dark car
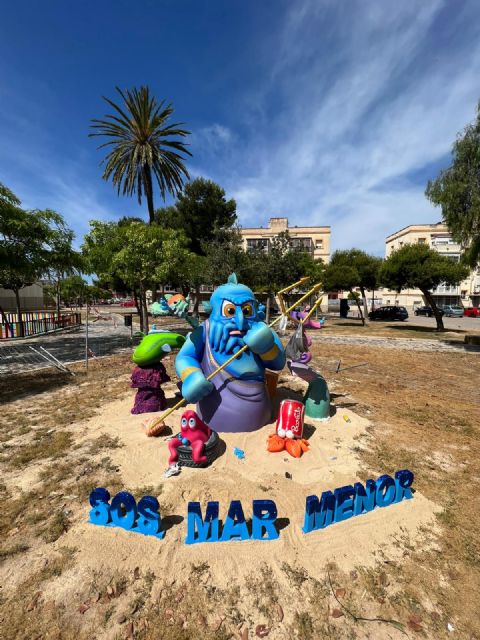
416	266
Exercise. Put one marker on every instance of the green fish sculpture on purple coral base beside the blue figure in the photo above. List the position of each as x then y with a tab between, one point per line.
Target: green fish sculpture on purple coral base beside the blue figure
150	373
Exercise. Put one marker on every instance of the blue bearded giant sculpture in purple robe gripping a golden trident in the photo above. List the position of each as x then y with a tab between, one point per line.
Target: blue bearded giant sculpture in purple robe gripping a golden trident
236	398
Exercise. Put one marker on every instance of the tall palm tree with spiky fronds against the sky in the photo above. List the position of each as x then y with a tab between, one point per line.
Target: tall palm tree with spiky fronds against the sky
142	146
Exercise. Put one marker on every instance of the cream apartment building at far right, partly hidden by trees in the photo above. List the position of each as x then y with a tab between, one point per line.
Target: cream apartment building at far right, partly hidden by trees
437	237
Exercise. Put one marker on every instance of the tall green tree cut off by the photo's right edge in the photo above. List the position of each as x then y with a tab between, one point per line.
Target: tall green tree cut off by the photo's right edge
457	191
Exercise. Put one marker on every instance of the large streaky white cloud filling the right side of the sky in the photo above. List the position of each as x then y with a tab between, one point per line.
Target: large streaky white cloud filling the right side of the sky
367	92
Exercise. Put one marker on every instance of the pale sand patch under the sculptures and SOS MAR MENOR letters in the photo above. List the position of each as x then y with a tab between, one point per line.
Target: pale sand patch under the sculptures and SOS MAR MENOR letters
331	462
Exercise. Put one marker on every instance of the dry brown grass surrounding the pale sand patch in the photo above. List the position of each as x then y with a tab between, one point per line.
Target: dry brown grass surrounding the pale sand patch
425	410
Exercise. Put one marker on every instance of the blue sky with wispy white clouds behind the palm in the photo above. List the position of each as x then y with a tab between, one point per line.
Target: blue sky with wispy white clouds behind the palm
329	112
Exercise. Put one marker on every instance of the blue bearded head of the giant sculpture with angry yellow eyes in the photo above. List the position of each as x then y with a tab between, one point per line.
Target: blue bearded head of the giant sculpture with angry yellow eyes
234	312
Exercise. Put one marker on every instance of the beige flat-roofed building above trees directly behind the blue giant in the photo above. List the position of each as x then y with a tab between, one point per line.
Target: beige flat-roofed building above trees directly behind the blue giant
315	240
